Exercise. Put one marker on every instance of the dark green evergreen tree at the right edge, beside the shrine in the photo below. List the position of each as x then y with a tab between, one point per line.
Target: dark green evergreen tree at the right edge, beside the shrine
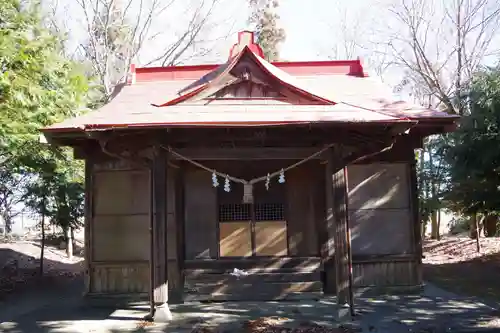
474	156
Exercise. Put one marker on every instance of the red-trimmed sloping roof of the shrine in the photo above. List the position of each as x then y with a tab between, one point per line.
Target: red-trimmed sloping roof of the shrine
337	91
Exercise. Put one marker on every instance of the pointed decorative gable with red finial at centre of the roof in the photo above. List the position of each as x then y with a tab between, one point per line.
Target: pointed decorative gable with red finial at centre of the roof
246	76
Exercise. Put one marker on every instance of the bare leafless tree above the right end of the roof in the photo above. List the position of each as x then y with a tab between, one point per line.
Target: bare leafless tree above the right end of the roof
440	44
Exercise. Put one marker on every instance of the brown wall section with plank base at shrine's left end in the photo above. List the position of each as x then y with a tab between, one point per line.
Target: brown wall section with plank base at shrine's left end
119	227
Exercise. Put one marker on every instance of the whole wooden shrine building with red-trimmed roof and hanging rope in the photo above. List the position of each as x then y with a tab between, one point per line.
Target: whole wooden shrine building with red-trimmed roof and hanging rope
250	180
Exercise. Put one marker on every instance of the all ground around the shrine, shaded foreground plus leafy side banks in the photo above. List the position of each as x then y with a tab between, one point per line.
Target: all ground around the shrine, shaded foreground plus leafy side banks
451	263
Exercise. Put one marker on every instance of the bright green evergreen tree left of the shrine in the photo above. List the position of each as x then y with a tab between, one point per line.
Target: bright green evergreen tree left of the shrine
38	87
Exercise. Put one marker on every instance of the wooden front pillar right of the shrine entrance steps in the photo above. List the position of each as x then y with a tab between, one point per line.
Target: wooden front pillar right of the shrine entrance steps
339	226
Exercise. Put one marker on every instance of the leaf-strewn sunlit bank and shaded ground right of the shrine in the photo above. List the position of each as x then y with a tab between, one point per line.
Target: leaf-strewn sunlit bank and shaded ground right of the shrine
454	264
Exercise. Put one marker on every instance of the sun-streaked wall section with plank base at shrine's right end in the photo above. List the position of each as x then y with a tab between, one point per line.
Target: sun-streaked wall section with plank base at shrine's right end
381	221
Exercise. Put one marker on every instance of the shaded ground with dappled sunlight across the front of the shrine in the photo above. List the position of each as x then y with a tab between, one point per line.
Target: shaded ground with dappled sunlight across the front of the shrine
436	312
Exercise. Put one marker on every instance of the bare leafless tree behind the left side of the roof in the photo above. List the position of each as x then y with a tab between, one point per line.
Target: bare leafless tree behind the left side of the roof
118	32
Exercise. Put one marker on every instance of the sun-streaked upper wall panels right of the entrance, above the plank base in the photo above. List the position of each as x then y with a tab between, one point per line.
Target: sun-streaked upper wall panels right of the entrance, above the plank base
379	209
